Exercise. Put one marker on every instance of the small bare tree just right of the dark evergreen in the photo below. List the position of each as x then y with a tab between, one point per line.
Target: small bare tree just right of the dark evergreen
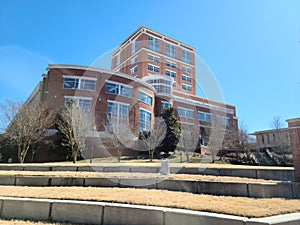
188	140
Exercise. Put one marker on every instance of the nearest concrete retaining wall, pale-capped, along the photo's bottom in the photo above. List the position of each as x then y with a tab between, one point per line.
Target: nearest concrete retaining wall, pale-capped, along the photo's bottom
122	214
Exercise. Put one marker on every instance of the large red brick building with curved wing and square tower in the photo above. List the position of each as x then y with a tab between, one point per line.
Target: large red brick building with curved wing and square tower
150	71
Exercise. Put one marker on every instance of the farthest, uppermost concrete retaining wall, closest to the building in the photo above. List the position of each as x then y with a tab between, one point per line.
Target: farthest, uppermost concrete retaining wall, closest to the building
282	174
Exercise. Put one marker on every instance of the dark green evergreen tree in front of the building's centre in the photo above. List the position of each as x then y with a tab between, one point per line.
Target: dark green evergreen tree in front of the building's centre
173	131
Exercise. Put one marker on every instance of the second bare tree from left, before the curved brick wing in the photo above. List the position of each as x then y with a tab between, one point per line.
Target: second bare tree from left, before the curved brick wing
74	123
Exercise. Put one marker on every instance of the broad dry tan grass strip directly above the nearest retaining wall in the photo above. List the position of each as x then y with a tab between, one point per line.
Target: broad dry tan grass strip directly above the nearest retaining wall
239	206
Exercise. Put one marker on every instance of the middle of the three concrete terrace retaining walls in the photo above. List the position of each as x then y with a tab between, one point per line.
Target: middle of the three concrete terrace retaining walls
288	190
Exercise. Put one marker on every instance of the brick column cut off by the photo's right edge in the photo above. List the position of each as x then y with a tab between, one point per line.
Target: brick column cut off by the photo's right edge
294	130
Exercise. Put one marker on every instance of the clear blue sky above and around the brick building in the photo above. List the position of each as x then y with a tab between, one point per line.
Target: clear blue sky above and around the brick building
252	47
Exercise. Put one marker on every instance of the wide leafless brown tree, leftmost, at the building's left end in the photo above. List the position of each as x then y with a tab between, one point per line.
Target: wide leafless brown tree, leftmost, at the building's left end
25	124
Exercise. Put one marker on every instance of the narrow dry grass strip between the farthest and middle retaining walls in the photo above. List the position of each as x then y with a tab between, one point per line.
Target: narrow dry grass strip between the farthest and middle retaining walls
130	175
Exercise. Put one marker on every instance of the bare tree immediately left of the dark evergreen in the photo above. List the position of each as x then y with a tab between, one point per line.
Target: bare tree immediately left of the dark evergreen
151	139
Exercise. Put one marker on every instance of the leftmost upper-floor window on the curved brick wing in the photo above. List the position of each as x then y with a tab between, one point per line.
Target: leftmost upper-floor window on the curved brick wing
79	83
